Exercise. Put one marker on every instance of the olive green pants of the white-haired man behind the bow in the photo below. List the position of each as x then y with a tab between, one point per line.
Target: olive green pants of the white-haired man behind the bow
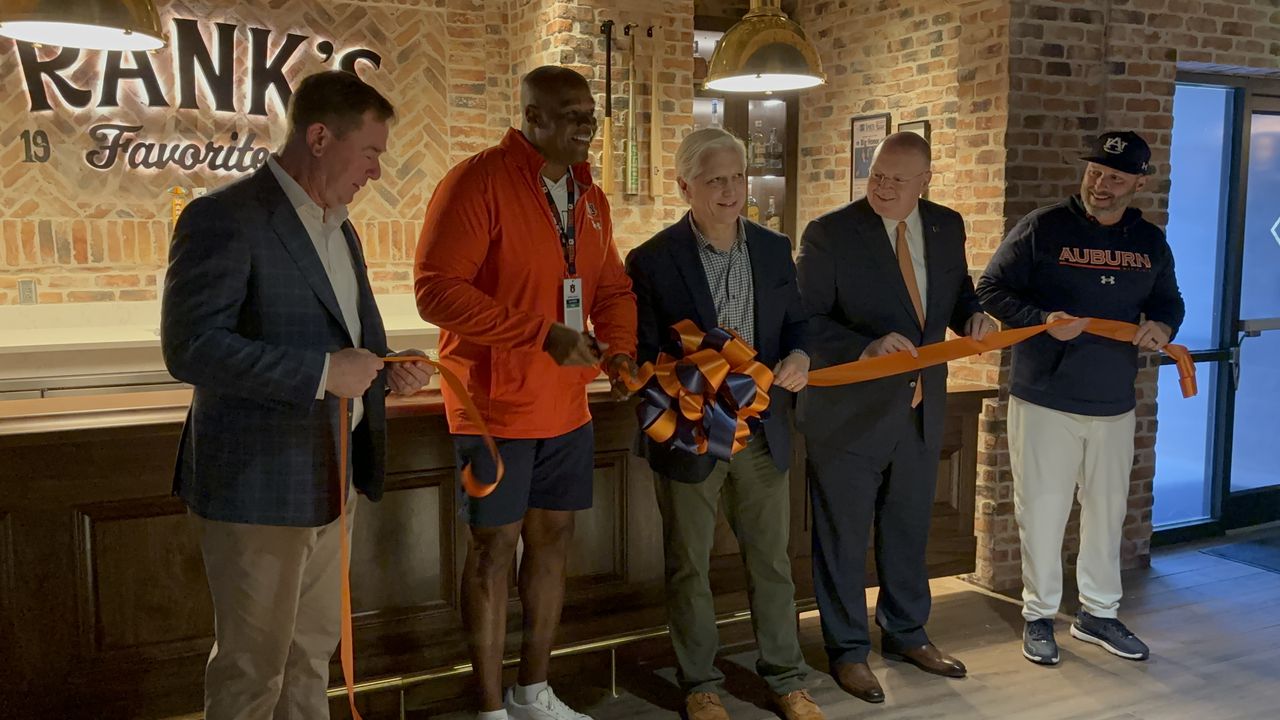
756	496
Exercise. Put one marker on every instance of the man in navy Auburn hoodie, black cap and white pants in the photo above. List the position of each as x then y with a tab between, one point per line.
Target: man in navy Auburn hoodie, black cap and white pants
1072	400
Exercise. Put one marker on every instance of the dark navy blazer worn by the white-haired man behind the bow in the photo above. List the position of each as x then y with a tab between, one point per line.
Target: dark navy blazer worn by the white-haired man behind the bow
670	284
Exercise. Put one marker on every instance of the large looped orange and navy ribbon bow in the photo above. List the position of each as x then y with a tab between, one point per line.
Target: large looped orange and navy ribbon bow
710	399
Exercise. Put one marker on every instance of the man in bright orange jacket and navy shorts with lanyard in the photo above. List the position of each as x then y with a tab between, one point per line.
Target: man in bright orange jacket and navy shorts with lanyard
516	256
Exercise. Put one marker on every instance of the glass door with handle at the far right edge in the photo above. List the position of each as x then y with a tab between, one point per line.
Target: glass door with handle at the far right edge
1255	454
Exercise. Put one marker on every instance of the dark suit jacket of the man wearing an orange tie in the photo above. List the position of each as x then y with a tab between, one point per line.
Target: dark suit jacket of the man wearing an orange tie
854	294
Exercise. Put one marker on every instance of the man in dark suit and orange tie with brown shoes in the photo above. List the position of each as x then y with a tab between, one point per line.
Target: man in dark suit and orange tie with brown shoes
880	276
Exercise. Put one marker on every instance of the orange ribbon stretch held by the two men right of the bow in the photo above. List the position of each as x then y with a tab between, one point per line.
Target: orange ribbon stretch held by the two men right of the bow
940	353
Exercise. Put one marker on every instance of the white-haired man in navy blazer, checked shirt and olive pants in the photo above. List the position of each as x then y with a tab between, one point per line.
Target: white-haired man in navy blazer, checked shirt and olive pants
719	270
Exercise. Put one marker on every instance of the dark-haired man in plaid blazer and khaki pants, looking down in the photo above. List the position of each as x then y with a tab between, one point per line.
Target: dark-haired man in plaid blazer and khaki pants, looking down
269	315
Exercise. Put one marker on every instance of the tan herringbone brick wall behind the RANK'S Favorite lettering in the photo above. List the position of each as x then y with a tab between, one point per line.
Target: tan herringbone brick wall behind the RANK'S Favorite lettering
89	235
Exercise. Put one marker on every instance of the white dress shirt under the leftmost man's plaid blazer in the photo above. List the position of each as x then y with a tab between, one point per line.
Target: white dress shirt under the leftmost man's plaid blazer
331	245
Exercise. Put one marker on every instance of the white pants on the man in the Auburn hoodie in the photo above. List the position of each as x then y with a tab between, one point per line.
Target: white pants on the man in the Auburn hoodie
1052	454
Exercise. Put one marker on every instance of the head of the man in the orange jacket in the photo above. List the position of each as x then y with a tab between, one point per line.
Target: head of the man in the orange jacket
559	116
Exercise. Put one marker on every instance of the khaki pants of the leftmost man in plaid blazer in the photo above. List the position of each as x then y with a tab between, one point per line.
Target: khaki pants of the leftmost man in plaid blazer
277	618
